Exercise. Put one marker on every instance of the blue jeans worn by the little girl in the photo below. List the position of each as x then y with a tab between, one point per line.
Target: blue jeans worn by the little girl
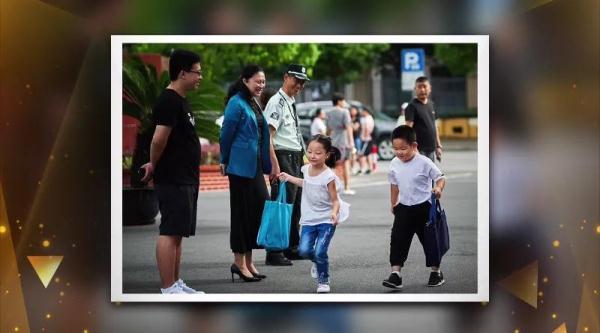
314	242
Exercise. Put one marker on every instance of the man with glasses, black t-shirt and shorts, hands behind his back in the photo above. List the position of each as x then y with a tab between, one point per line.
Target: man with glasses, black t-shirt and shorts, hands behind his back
175	164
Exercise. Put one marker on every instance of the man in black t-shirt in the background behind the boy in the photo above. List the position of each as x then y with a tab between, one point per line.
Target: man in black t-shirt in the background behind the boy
420	115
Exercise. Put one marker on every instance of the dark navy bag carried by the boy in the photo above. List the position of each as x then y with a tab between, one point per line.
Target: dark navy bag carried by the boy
437	237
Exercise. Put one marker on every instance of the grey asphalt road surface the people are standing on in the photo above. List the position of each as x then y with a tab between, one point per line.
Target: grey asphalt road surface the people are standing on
358	253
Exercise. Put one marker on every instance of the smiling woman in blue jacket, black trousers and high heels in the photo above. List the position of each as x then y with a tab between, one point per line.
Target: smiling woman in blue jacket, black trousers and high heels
245	160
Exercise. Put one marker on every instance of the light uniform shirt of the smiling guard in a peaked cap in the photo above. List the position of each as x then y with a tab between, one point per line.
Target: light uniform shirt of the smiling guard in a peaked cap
280	114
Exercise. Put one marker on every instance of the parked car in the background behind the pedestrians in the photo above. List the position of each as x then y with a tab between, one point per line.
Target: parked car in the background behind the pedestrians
384	124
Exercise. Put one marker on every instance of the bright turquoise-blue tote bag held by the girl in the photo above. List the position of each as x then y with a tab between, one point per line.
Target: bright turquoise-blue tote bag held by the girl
274	231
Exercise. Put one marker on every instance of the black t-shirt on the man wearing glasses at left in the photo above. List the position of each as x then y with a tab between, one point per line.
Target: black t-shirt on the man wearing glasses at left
180	160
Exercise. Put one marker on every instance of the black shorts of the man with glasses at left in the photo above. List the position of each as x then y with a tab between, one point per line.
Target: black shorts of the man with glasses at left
178	205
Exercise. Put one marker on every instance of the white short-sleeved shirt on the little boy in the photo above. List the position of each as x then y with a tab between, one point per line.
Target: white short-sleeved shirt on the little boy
413	179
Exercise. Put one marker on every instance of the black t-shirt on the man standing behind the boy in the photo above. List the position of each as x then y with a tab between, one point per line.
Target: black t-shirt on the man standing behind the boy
423	116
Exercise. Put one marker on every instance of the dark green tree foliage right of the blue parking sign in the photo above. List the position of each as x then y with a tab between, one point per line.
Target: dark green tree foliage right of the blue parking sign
461	59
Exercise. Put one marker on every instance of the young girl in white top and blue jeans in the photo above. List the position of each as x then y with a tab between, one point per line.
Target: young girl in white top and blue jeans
321	206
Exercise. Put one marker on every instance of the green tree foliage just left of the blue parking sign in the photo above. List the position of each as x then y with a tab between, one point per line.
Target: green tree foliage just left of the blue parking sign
344	63
